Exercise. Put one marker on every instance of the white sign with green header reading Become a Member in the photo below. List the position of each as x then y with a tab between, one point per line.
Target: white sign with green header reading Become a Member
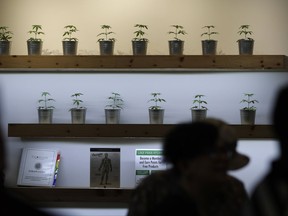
148	161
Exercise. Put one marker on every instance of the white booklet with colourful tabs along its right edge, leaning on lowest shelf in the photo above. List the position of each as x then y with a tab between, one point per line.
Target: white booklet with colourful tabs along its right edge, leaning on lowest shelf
38	167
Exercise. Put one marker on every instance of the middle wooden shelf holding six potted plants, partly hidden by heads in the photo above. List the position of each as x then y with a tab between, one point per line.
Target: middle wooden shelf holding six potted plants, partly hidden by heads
119	130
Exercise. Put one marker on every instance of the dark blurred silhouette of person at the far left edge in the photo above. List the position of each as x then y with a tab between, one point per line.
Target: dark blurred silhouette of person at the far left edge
10	205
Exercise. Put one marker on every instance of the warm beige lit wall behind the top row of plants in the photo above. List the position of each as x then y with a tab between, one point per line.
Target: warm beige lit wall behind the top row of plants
267	18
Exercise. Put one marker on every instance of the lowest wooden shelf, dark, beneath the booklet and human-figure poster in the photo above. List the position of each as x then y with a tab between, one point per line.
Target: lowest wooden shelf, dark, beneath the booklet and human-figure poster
77	195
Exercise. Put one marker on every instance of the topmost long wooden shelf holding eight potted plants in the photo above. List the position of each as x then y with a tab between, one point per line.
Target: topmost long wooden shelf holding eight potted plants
96	62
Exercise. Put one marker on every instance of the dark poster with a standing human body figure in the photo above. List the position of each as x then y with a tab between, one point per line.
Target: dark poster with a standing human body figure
105	167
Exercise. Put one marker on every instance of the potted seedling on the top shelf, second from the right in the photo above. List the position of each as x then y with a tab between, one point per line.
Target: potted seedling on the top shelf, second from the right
209	46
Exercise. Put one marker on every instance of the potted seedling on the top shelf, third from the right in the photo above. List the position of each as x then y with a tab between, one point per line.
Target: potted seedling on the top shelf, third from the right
176	46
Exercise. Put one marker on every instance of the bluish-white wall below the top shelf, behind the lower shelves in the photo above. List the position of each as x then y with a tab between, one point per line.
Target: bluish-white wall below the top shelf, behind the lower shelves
20	92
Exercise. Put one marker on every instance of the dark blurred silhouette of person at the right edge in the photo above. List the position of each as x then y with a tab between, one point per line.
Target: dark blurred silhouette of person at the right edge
270	195
